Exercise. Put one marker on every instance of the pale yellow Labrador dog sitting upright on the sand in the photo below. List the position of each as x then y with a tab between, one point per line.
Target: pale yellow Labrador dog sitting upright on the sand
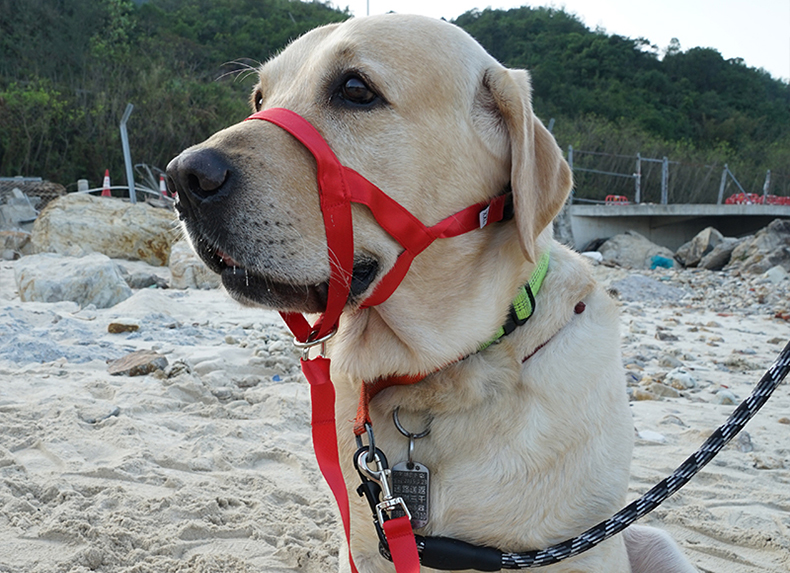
530	437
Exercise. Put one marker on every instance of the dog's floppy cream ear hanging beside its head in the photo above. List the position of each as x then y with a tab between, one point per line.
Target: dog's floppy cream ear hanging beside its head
539	175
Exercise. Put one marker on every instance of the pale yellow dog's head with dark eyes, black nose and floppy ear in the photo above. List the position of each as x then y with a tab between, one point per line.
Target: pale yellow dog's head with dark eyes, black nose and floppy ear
415	105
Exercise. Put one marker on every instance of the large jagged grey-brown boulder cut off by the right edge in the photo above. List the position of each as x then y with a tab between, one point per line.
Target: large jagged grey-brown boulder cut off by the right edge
766	249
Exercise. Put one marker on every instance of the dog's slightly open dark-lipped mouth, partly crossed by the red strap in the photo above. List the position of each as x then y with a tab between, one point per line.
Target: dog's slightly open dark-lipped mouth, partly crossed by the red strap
251	287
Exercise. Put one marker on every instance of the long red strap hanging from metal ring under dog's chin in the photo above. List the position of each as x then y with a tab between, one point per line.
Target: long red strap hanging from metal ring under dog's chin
322	396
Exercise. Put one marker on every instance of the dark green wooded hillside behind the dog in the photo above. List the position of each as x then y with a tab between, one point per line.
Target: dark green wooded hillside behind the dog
68	69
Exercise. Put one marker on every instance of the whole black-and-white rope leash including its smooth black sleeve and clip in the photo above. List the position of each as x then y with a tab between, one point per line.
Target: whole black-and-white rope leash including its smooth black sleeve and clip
451	554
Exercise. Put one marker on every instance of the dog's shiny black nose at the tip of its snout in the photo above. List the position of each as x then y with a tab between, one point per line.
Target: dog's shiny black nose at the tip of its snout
198	175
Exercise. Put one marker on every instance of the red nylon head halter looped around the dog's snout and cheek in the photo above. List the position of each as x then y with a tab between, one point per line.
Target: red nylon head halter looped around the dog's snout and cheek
338	187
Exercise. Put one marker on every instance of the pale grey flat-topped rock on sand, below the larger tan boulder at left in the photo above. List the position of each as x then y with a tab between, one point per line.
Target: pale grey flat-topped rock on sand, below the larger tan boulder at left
92	279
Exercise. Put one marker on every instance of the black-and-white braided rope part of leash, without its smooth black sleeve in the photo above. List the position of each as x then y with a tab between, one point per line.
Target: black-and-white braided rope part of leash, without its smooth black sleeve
653	498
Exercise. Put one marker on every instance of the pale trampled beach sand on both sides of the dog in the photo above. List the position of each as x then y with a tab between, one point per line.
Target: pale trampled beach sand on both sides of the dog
208	467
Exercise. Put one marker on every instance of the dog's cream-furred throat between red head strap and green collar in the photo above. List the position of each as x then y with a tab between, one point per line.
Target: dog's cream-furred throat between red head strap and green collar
420	331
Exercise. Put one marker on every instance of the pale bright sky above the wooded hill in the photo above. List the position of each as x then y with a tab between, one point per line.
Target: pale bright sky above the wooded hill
758	31
